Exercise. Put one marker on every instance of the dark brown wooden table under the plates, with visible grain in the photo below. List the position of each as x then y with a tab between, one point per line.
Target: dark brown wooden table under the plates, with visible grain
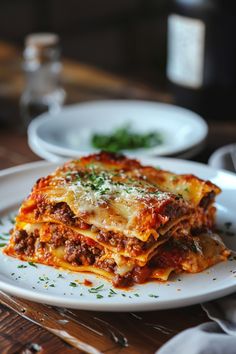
92	332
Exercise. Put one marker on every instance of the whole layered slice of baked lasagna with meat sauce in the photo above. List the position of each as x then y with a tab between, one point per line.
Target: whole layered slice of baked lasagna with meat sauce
110	215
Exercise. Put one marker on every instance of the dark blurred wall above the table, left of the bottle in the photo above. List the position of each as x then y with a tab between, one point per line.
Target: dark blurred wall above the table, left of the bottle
126	36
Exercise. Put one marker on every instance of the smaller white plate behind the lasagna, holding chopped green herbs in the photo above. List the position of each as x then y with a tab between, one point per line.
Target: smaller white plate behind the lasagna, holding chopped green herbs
69	132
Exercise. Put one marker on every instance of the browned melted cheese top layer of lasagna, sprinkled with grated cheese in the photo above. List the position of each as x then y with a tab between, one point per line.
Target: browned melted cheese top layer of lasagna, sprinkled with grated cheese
119	197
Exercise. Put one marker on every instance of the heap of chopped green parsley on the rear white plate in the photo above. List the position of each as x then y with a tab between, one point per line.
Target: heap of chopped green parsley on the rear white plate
124	138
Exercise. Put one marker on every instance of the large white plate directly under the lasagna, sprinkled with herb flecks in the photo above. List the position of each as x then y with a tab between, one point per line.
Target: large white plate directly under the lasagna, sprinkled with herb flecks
45	284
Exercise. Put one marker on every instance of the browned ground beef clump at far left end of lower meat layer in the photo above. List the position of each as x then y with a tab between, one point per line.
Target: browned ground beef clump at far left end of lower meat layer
24	243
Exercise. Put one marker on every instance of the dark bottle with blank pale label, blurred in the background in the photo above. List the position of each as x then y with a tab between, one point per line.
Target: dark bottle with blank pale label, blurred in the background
201	56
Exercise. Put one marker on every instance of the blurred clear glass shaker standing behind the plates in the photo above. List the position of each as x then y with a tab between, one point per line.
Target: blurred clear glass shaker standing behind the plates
42	68
